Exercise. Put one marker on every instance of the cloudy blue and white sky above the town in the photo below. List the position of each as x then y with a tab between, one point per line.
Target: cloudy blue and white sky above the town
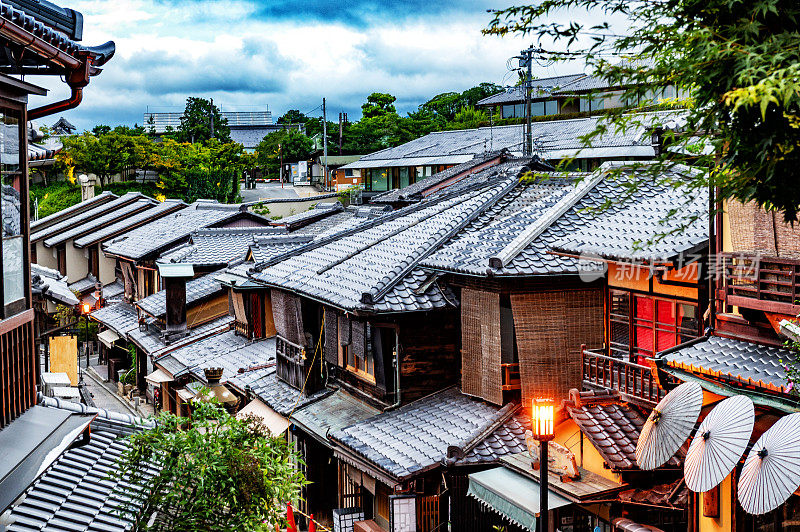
285	54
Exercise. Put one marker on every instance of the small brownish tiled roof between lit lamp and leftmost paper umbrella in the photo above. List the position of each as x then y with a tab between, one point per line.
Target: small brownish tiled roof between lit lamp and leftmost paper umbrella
612	427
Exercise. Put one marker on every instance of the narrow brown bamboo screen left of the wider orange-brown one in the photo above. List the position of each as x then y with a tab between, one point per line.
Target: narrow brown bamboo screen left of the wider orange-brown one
480	354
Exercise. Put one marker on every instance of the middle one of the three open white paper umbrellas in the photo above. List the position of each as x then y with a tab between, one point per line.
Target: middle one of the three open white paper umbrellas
719	443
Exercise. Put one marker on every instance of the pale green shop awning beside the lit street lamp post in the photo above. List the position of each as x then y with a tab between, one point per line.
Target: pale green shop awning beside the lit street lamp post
511	495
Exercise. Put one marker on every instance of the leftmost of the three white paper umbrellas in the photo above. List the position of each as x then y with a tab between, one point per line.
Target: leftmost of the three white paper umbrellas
668	425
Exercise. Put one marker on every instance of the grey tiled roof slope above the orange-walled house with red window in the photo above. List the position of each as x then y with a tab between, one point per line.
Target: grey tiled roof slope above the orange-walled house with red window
657	223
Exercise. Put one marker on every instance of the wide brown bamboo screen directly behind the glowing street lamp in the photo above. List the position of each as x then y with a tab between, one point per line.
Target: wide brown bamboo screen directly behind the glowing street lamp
550	328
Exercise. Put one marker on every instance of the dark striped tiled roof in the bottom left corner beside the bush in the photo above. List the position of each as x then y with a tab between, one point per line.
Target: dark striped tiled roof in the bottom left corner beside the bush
77	492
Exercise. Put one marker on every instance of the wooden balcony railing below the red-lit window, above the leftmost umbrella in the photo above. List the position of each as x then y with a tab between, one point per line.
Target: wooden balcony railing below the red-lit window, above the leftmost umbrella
633	381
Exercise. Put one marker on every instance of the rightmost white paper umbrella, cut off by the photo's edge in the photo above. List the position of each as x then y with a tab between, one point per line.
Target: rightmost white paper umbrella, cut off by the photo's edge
771	472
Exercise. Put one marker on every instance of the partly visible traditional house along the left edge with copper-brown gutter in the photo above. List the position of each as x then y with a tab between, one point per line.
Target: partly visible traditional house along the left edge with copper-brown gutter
41	443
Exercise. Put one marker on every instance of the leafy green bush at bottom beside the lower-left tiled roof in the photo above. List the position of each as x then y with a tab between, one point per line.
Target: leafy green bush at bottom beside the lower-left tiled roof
216	473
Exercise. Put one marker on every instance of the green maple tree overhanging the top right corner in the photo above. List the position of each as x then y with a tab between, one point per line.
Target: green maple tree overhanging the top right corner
738	63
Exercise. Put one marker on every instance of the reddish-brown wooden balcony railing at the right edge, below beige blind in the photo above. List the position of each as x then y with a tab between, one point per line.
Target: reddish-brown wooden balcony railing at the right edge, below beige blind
760	283
